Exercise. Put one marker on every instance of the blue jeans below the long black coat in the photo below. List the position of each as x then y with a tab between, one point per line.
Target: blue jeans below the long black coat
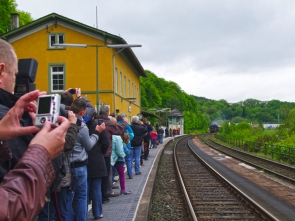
95	195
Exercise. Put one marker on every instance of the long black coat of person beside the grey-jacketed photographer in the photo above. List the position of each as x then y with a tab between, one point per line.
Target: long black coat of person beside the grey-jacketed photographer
96	166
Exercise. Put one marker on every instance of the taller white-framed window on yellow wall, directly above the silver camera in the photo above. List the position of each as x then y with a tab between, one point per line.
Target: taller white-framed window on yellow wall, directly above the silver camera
57	78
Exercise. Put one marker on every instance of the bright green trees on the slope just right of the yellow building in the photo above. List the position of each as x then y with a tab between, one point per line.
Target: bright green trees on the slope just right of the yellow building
157	93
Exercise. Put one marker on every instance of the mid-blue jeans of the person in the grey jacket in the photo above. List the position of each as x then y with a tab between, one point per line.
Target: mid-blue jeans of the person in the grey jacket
80	196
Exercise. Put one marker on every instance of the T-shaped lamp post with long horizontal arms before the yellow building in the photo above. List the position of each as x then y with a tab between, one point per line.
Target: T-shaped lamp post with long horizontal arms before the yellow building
123	46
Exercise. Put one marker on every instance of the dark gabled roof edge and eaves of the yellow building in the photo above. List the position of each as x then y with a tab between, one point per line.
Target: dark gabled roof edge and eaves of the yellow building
56	19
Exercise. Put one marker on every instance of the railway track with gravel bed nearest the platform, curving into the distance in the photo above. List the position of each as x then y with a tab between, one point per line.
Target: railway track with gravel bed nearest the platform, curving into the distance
187	188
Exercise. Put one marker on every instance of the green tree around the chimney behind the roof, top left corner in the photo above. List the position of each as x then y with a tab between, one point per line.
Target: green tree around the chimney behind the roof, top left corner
8	7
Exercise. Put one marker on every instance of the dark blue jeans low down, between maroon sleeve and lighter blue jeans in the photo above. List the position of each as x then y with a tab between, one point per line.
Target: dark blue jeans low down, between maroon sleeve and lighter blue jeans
65	198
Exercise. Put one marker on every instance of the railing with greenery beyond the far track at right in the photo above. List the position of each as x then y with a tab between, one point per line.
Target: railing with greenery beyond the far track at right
283	154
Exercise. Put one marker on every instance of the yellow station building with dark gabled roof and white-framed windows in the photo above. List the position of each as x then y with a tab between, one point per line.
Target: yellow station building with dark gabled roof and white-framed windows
116	70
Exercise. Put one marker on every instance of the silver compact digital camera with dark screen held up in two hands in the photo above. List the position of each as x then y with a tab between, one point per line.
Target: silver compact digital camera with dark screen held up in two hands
48	108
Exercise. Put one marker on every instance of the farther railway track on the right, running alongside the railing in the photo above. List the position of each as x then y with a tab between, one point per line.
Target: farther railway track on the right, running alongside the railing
280	170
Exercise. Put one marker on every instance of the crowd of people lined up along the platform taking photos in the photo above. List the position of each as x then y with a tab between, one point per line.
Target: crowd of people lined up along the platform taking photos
54	172
